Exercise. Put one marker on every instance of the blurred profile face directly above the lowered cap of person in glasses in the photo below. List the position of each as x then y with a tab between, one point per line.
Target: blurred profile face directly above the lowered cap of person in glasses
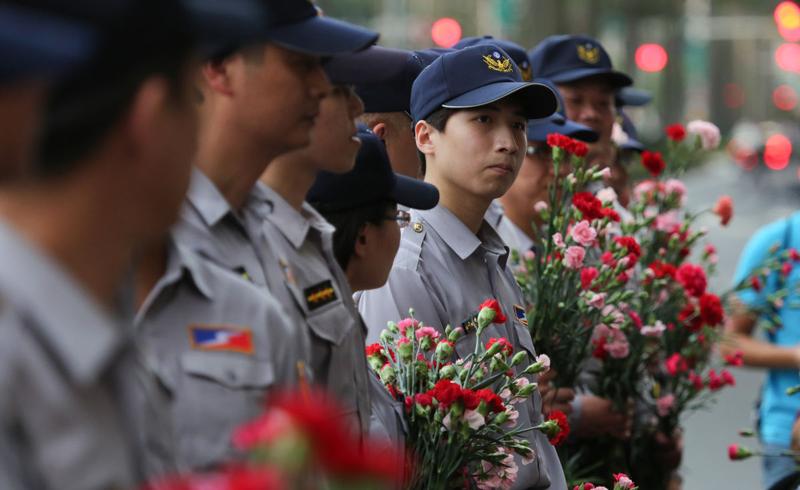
334	143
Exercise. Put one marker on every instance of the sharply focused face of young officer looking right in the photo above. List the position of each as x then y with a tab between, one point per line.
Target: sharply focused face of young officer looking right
479	152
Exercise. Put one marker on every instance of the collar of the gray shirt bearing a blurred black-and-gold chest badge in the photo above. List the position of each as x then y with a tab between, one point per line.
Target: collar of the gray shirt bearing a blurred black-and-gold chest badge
293	224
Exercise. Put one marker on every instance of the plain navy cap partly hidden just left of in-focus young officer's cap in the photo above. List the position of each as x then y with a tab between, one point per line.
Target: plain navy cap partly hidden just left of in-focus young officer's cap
392	93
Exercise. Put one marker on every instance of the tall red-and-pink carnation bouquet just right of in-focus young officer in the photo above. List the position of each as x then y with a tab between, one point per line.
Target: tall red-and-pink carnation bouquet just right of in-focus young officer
575	284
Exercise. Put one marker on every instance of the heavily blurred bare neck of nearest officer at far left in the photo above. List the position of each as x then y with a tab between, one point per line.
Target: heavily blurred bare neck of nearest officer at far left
77	224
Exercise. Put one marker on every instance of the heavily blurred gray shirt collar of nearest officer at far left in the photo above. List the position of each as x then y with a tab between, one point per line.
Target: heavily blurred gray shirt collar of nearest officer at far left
83	335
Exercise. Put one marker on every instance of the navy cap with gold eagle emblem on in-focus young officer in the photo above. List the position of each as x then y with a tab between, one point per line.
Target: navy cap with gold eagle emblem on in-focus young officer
474	77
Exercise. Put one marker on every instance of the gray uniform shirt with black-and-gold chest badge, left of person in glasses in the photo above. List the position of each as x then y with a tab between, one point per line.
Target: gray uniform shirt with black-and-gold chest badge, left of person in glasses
316	292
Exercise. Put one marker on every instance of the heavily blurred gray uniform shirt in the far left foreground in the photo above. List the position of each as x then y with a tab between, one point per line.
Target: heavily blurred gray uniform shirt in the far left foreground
65	371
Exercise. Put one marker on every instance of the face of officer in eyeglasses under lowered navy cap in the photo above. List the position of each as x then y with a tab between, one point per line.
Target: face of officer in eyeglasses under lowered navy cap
375	249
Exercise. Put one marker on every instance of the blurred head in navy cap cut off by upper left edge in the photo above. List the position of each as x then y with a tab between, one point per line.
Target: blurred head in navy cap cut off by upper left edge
37	47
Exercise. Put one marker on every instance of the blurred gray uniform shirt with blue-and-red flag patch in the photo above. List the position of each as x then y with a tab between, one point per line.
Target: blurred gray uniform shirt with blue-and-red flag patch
218	345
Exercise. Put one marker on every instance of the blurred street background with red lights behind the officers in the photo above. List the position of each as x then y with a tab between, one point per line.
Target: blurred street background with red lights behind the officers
733	62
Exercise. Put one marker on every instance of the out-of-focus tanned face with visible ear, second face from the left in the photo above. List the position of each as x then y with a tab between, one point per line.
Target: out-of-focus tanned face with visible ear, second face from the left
275	95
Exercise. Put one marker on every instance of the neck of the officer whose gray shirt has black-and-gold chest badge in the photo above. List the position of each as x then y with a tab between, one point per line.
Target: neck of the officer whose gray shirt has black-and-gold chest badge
291	176
